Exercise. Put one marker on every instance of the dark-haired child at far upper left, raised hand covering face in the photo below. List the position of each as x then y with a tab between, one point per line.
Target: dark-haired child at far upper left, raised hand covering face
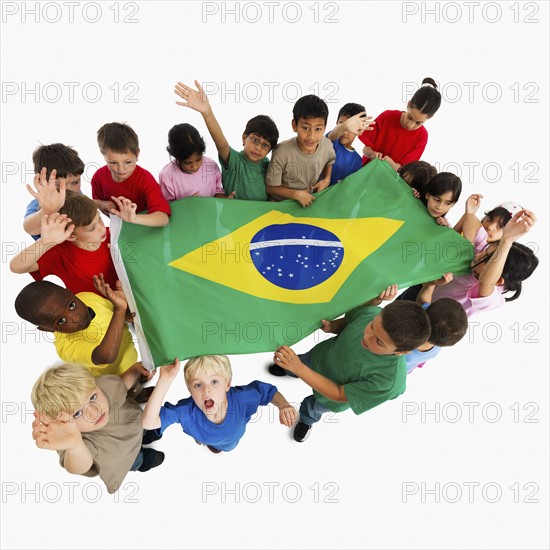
57	168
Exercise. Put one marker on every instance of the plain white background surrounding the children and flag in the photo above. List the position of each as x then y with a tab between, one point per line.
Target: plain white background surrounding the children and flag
359	481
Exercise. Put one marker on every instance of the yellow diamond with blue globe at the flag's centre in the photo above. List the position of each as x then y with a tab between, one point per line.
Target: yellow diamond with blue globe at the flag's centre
287	258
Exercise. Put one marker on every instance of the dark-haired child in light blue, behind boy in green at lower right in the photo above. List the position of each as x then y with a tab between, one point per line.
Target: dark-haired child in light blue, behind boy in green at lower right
449	324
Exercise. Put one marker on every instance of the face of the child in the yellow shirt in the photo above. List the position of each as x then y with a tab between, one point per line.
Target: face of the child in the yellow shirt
64	312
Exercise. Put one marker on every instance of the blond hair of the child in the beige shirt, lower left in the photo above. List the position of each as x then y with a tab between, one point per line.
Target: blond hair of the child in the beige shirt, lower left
62	389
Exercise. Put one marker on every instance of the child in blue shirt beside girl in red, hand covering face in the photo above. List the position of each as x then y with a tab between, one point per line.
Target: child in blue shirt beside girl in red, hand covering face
351	122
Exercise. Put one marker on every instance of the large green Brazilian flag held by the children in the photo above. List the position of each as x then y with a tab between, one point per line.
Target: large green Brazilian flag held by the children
230	276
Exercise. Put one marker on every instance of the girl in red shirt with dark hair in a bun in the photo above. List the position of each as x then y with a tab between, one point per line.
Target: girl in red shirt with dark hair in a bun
399	136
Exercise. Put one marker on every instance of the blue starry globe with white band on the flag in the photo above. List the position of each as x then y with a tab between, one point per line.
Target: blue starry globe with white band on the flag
296	256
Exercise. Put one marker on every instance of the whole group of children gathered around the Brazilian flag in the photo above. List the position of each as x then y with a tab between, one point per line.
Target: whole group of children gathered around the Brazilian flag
88	409
